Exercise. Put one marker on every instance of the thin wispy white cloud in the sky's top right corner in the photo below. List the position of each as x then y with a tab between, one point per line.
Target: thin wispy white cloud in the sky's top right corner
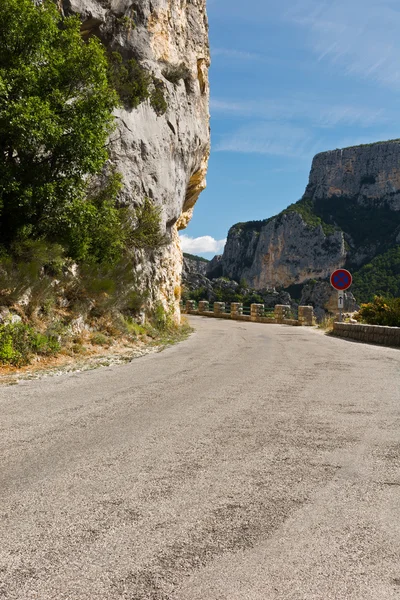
359	36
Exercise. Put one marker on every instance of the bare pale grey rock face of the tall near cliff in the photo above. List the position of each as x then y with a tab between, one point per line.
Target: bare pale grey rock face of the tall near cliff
162	157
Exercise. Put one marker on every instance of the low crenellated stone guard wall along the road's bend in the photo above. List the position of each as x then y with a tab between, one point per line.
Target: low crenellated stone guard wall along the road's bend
256	312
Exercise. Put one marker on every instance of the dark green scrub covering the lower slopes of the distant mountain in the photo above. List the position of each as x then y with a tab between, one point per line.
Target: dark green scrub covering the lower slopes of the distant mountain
369	226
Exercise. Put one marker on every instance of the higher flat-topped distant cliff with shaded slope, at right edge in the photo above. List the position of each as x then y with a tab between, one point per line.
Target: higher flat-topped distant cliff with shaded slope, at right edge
358	190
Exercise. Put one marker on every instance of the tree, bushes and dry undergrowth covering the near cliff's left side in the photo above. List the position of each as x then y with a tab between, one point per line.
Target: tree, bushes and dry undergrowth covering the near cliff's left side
66	242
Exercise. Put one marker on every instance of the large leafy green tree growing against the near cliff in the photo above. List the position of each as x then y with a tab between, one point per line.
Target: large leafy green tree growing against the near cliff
56	107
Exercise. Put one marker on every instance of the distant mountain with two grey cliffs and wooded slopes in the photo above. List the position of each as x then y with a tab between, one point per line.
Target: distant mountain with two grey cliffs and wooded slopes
349	214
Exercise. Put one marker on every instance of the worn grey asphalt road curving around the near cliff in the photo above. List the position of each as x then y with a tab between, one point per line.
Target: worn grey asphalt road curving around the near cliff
250	462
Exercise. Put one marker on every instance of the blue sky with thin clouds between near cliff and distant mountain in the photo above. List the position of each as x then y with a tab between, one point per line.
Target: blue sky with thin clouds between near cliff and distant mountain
288	79
